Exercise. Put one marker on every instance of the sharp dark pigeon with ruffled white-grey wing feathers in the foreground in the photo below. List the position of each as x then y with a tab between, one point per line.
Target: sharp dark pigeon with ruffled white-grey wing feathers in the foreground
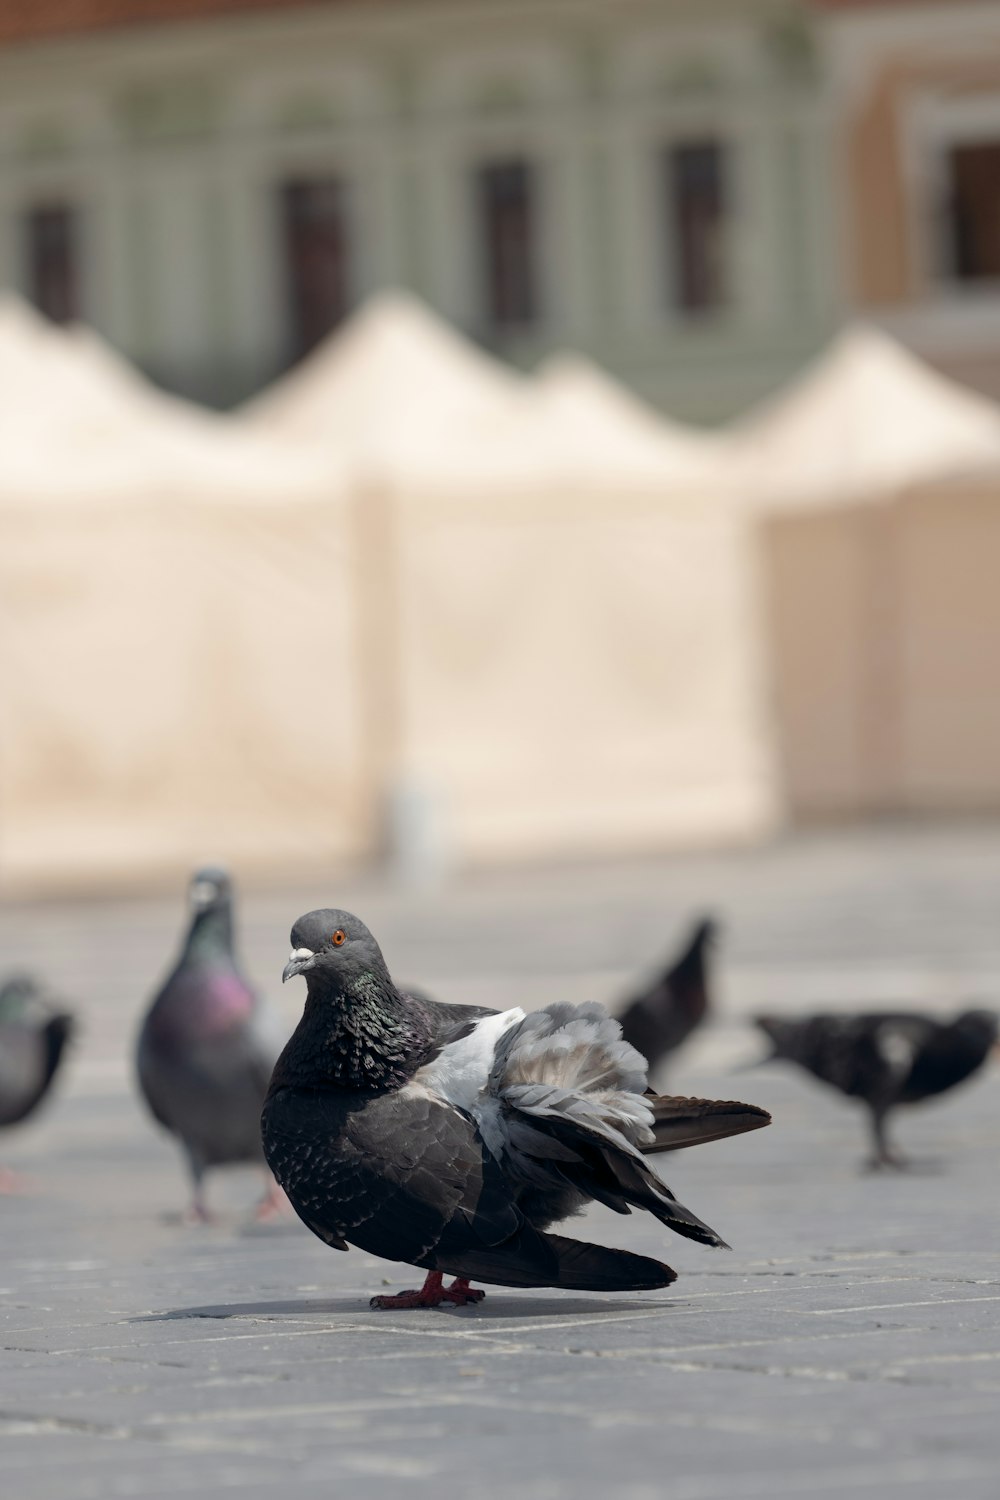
452	1138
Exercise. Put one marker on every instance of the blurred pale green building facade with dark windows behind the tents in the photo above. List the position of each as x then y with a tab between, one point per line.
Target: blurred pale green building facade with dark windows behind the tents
217	187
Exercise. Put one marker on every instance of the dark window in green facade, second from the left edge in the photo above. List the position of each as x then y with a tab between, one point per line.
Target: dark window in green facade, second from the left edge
317	257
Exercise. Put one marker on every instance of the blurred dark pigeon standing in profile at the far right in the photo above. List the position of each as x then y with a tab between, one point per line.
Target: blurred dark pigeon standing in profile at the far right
885	1058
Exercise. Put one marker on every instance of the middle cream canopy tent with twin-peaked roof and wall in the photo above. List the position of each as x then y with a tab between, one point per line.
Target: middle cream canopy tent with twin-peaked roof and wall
558	620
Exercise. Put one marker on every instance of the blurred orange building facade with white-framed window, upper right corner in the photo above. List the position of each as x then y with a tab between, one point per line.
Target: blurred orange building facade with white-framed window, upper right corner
917	97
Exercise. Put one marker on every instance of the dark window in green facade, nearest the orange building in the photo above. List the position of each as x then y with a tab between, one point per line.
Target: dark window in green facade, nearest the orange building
696	224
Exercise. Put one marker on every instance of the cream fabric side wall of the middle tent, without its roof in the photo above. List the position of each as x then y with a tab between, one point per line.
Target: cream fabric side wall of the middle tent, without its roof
582	673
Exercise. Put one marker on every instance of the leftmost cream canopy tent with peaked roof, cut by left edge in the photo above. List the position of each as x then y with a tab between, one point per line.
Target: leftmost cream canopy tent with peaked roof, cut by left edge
164	583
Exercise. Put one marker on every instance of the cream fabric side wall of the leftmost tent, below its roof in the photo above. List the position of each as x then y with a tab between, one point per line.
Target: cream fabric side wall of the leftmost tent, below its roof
179	683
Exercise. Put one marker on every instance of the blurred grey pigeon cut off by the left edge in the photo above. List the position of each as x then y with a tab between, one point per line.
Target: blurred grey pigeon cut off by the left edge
34	1039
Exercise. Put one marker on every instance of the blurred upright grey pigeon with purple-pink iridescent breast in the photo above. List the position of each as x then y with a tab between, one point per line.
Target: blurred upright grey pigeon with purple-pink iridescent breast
208	1048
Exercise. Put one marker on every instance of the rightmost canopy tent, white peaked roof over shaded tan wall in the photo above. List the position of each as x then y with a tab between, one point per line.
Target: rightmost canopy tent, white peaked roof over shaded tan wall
884	625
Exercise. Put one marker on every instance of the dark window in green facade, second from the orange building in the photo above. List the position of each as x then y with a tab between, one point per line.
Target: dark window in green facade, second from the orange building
506	202
